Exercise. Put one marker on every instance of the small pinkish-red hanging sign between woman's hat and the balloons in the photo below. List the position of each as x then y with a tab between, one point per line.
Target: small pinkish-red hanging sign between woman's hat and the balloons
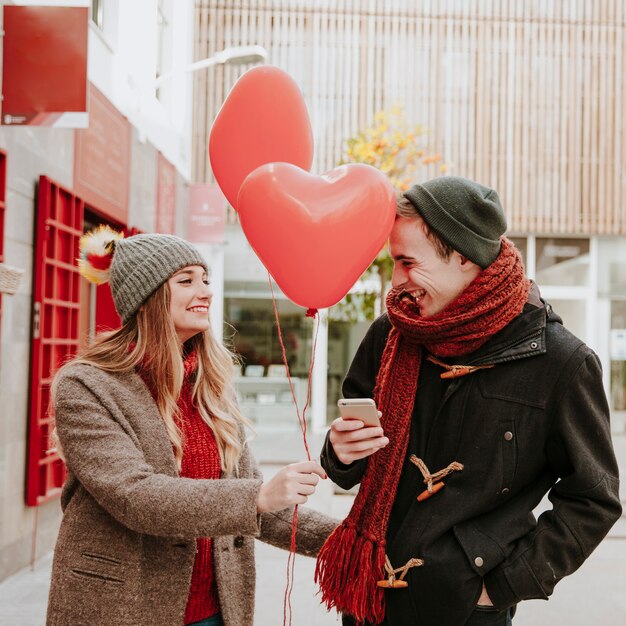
207	213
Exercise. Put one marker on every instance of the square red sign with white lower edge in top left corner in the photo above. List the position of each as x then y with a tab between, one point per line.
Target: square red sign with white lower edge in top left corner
44	74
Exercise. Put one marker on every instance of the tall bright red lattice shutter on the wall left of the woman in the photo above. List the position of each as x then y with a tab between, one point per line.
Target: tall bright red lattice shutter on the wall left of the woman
56	304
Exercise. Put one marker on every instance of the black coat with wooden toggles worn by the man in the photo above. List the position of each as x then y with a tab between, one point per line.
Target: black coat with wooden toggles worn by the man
535	423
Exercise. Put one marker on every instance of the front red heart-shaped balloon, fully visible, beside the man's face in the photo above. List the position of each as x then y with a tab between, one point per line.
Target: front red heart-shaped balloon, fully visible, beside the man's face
316	234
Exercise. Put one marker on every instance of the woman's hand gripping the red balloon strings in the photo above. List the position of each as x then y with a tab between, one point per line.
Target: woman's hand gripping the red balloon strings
291	485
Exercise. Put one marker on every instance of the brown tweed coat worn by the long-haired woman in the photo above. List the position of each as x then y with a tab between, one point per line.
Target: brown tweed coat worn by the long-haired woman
126	547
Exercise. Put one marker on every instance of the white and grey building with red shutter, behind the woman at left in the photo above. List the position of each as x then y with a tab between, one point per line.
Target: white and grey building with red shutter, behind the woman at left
130	169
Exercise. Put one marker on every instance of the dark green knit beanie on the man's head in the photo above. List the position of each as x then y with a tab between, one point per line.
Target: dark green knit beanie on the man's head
464	214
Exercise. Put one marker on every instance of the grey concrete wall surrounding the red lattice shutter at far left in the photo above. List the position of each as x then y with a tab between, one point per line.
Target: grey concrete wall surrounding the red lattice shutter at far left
30	152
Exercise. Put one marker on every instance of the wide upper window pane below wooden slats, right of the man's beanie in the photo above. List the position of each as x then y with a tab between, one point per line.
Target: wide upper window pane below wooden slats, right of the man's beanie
563	262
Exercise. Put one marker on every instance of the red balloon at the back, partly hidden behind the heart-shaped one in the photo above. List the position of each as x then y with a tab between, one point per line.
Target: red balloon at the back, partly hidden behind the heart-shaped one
263	119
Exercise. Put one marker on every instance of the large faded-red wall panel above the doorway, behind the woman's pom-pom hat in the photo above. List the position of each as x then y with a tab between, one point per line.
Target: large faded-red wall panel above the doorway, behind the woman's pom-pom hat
102	159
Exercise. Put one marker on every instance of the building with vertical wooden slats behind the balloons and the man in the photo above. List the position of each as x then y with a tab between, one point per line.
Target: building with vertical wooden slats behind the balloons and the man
526	97
